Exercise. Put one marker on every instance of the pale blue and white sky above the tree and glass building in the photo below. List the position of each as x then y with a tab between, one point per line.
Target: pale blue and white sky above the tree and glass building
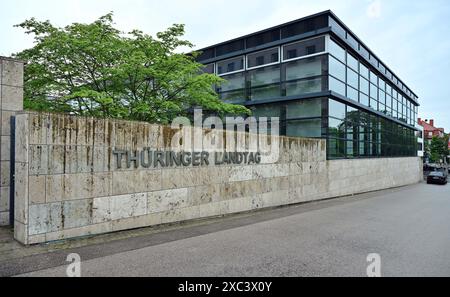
412	37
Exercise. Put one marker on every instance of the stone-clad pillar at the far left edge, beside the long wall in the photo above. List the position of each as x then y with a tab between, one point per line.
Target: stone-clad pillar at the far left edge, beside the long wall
11	102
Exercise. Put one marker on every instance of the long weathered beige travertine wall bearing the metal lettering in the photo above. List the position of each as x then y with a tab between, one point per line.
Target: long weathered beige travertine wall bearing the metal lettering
67	184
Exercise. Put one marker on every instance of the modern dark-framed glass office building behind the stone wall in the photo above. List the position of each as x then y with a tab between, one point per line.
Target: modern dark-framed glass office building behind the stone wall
323	82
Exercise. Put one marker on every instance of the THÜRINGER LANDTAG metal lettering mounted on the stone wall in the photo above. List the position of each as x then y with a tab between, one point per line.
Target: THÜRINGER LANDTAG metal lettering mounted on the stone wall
148	158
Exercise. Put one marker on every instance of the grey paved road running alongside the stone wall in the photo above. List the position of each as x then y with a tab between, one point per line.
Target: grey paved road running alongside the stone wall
408	227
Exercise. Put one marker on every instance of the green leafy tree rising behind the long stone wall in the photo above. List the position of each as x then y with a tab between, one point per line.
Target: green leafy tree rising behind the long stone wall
96	70
